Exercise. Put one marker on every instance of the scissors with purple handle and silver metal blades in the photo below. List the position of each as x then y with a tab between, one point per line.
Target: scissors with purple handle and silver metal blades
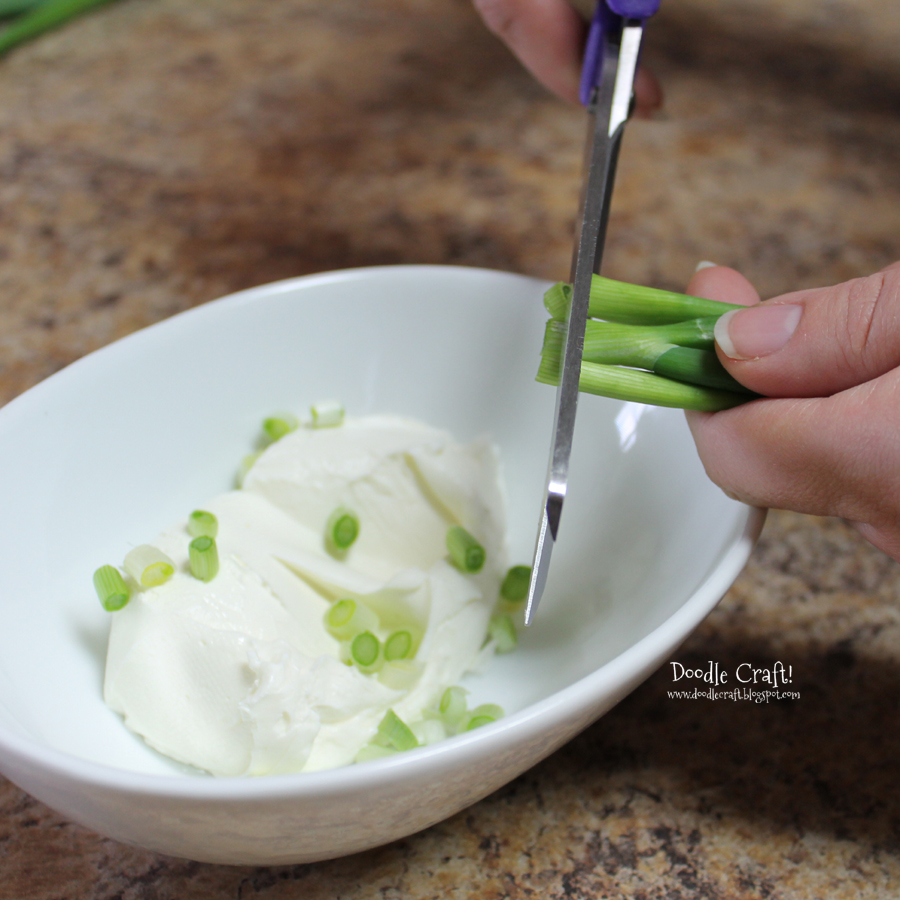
607	88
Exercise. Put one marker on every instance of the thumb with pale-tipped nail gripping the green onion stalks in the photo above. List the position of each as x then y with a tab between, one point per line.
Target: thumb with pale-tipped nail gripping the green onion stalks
814	343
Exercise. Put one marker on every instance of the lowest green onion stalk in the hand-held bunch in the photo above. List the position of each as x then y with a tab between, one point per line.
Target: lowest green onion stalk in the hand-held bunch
642	387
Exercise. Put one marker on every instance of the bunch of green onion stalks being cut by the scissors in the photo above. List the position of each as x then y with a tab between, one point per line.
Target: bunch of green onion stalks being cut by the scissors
653	346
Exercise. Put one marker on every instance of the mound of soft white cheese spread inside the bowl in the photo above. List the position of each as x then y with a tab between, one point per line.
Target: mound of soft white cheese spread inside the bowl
239	676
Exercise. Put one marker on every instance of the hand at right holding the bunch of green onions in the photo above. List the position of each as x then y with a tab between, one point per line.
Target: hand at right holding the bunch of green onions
825	439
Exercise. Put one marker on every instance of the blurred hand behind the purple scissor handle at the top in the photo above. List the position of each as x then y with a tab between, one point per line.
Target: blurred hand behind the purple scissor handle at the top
548	38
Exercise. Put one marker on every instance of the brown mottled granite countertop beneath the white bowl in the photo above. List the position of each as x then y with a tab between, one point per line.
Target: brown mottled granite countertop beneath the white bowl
156	154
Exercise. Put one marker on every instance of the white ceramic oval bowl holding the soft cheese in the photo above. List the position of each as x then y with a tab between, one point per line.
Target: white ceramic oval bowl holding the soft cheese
110	450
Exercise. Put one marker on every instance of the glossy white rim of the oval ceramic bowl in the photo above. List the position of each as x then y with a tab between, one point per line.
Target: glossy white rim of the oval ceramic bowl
570	703
